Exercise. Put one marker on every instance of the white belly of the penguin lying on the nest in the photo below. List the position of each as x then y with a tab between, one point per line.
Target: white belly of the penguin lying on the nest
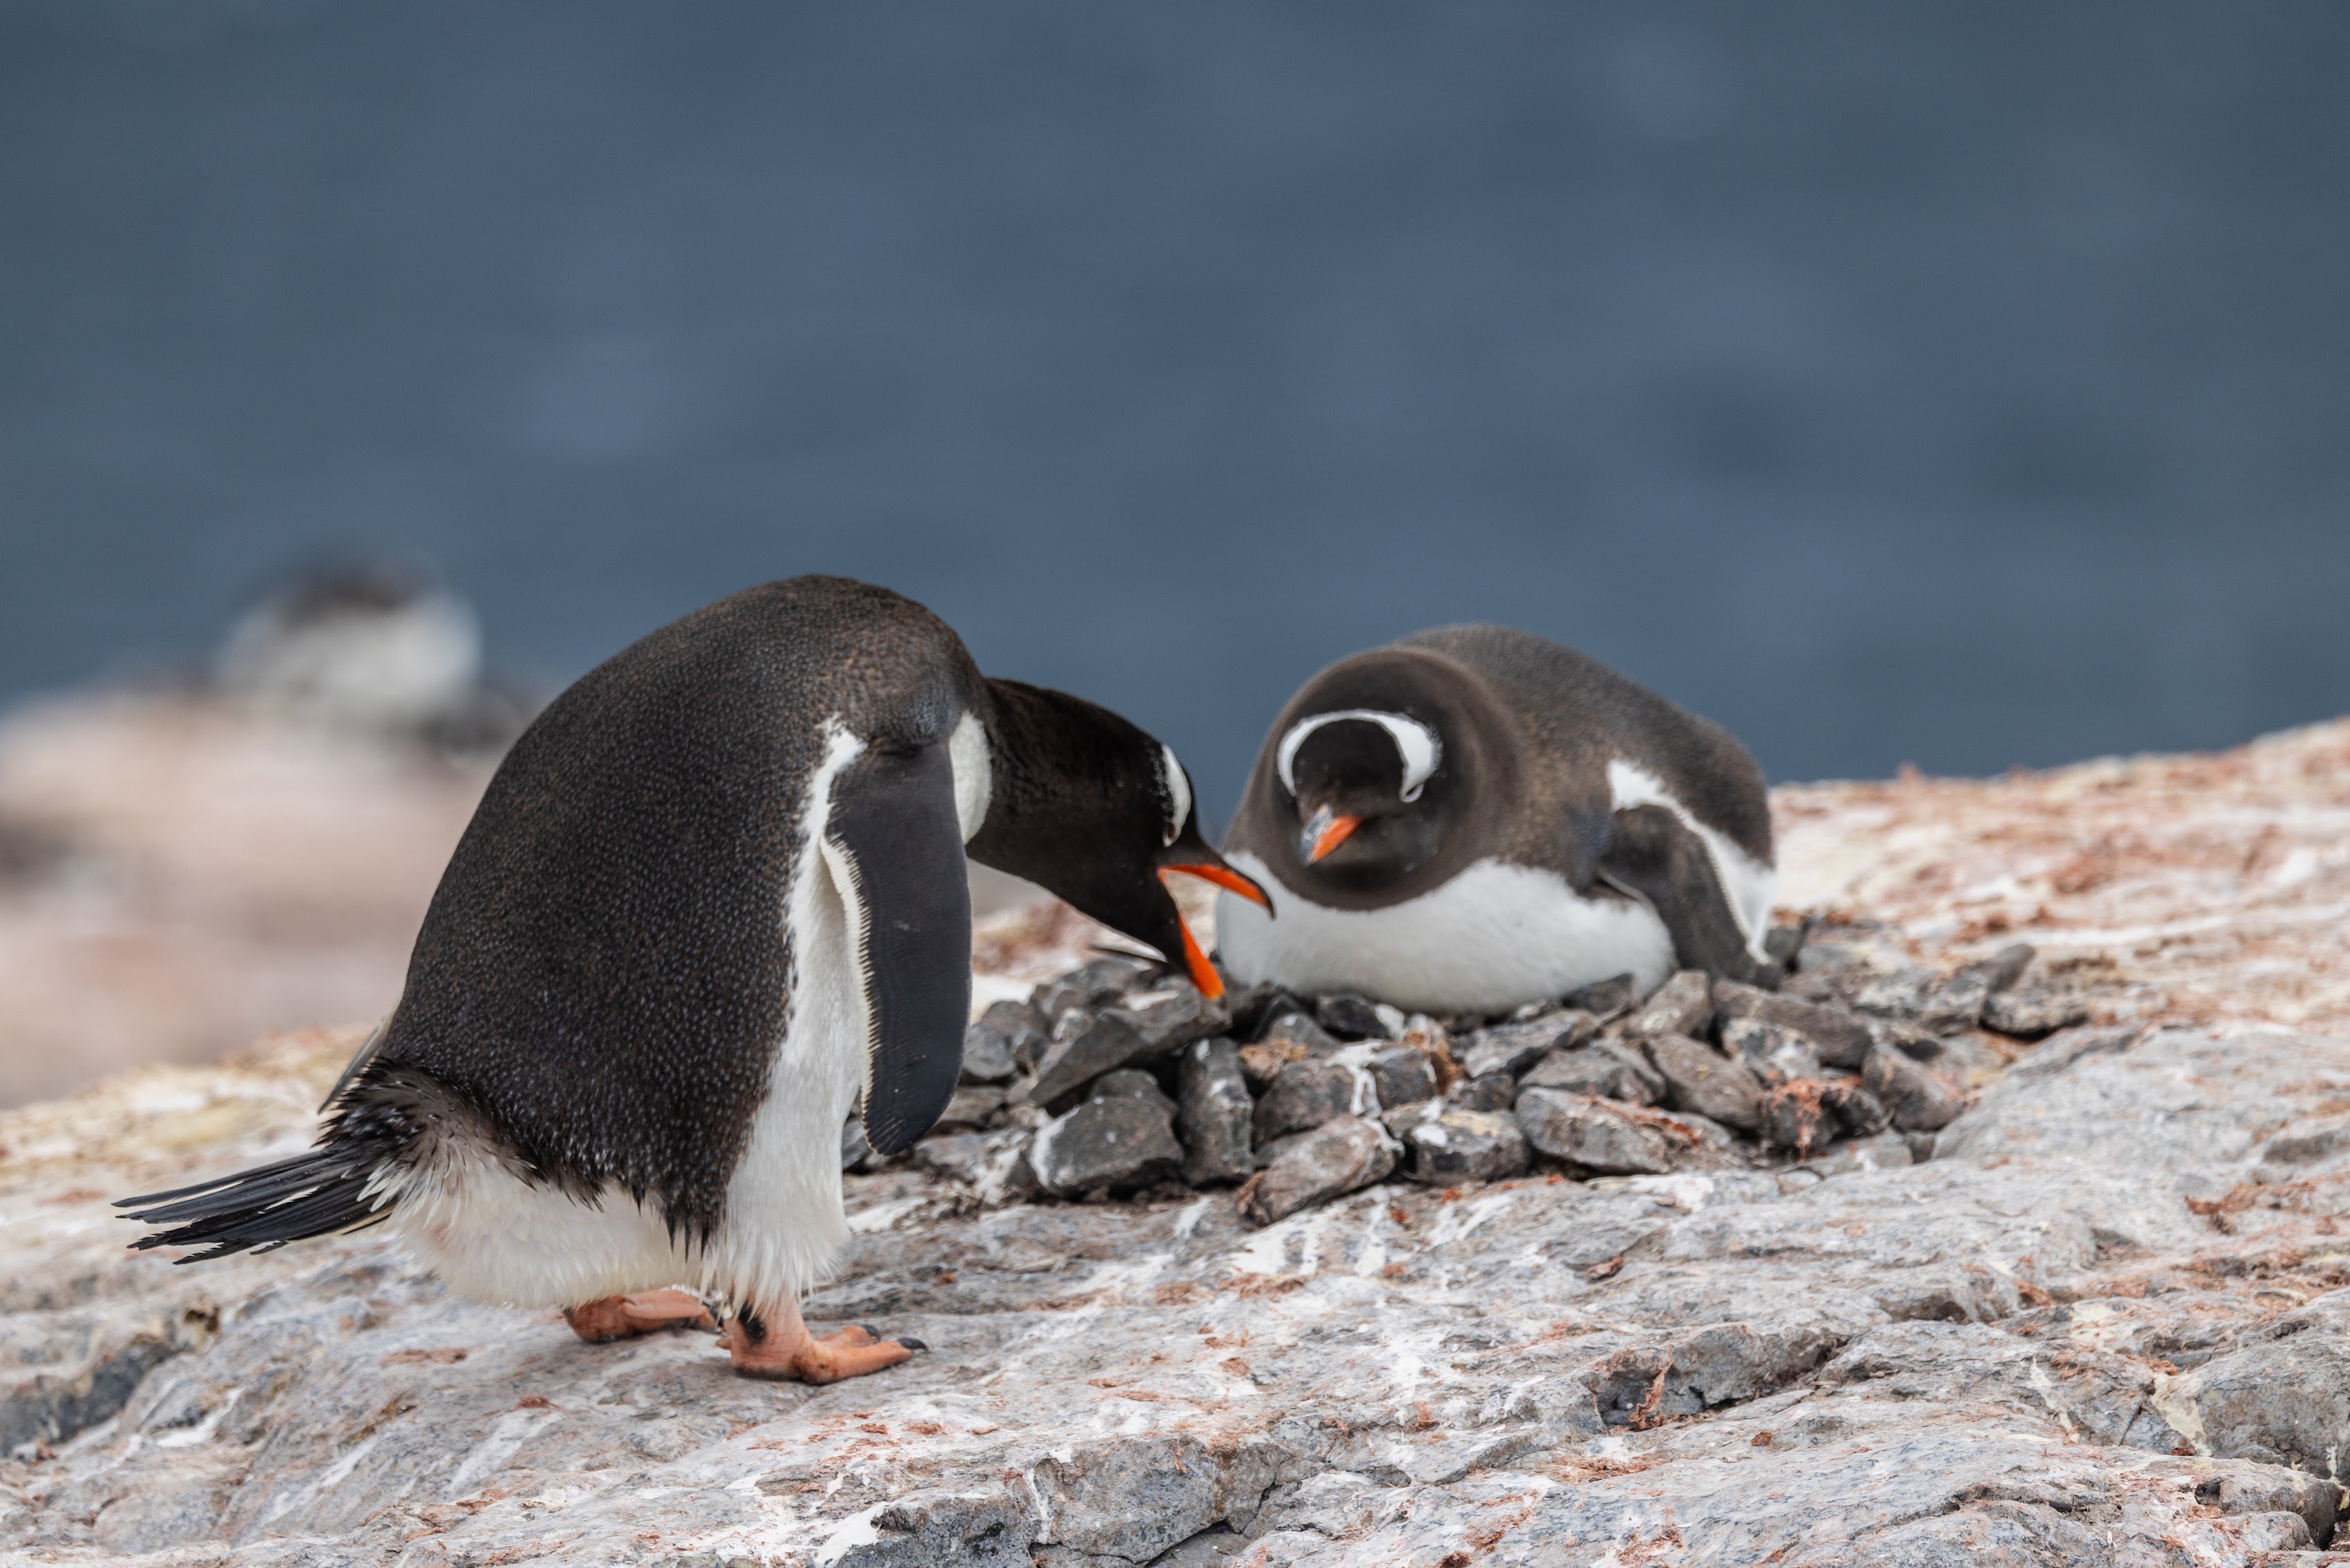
1491	939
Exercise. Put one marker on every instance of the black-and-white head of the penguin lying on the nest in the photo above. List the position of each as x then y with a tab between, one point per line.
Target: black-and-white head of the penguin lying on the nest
1369	789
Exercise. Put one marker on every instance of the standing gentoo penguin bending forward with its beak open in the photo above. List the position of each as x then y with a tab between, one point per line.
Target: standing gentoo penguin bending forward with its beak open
711	899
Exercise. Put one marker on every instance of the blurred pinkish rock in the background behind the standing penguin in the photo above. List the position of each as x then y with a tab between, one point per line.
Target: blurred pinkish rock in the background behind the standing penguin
189	876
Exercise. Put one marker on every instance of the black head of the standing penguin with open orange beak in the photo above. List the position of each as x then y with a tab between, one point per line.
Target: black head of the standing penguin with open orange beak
1101	815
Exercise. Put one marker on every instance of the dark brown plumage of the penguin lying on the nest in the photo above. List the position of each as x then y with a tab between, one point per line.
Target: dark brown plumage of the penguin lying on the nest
1524	739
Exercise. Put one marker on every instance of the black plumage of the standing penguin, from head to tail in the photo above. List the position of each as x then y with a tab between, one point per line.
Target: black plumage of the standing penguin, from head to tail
605	972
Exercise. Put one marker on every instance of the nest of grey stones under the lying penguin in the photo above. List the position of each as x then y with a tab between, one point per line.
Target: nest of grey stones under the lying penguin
1120	1080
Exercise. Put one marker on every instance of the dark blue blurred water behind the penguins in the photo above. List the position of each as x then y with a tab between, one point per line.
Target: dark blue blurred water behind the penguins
1956	384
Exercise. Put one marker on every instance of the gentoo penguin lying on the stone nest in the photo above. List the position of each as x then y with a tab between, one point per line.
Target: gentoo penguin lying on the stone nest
1475	819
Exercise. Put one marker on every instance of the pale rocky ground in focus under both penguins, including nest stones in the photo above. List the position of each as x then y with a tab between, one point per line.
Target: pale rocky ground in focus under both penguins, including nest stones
1938	1257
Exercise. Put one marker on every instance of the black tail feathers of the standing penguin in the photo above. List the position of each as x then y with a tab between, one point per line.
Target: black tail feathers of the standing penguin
311	1195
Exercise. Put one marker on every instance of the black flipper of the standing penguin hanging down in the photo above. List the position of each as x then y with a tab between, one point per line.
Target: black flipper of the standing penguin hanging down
897	836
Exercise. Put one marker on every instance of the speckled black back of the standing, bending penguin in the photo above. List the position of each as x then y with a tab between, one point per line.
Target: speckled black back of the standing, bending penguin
605	970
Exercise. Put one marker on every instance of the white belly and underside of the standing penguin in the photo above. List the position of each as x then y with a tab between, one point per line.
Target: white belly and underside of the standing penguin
502	1240
